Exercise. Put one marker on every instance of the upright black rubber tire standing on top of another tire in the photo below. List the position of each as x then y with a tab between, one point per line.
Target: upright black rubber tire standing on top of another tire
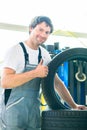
50	96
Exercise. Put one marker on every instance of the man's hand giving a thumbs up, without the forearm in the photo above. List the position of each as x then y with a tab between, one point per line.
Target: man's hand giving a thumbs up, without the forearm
42	70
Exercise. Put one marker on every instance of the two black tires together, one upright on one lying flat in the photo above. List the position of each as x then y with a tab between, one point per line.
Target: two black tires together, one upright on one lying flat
61	117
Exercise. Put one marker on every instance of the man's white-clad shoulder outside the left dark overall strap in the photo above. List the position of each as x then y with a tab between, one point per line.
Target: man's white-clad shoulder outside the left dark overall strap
14	58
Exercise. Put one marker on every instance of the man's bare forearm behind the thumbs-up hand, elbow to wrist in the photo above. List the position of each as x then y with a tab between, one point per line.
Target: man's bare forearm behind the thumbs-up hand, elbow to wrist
15	80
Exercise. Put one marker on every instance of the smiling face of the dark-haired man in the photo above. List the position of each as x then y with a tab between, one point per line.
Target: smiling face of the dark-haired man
39	34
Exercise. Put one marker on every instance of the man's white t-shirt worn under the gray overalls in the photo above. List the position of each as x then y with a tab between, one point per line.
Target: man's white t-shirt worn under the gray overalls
15	59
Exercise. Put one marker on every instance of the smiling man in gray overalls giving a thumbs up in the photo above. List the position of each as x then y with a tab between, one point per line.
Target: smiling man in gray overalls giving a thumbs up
24	66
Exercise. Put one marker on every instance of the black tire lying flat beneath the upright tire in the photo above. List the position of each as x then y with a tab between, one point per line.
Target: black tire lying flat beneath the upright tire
64	120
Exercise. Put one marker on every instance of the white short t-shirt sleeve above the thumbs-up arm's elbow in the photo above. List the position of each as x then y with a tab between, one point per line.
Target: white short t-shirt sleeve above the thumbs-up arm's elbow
12	58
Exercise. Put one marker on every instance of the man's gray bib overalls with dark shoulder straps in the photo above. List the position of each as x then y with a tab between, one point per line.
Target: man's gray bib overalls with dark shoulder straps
22	112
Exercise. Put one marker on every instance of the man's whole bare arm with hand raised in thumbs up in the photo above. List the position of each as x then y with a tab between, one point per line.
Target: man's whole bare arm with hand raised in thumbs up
10	79
